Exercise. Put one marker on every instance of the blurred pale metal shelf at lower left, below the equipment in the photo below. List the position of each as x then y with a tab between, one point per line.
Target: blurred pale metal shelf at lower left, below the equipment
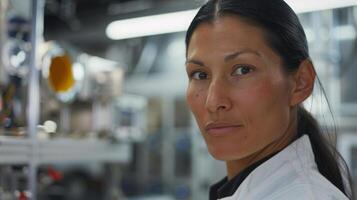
62	150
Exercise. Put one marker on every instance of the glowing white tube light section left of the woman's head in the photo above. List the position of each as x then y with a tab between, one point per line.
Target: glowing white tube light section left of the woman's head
150	25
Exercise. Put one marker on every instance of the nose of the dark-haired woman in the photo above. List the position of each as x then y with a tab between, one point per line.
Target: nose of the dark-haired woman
218	97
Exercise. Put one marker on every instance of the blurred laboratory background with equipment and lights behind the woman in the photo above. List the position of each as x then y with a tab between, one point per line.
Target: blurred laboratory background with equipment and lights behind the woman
92	97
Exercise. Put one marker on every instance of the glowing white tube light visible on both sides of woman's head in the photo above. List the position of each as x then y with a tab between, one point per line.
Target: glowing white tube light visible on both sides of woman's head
179	21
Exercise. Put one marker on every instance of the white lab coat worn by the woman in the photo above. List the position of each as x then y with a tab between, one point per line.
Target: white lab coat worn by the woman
291	174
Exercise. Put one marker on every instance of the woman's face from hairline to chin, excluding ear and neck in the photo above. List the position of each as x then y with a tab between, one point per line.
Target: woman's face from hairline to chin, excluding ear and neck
237	89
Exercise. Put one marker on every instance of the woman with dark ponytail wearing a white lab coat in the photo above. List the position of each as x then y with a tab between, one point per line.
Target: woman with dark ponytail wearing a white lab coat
249	73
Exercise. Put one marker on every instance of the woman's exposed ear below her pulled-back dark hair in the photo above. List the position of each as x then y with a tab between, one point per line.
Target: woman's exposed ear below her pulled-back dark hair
303	85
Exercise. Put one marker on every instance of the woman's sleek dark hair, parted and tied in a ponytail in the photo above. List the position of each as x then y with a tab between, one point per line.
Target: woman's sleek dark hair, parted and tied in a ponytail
285	35
